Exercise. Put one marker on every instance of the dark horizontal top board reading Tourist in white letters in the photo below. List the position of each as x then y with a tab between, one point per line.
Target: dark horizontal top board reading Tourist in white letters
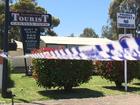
29	19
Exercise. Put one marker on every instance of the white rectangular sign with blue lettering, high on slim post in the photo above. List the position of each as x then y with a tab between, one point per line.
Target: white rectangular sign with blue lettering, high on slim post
126	20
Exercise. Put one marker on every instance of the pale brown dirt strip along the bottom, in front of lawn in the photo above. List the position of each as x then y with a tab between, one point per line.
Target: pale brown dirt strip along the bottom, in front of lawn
128	99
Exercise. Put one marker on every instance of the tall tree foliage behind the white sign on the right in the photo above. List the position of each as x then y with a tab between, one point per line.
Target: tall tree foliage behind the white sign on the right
130	6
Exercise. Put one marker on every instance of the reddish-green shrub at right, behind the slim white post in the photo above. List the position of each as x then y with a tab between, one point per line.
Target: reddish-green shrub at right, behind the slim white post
114	71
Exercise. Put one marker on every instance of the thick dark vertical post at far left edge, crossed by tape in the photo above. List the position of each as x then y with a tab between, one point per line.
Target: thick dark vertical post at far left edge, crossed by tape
5	93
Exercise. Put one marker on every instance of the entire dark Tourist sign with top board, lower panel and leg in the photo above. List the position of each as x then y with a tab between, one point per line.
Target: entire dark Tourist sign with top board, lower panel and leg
30	29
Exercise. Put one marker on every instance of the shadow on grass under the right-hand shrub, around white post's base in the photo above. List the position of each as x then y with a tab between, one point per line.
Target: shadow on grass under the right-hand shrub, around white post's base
130	89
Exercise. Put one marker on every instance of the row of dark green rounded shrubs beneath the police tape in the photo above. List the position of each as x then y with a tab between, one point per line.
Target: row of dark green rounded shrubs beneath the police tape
70	73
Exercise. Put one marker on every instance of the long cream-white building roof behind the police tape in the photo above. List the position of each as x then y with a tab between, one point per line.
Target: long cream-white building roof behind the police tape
74	40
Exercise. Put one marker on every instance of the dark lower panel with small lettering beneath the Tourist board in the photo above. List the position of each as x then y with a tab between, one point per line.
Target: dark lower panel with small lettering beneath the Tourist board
30	38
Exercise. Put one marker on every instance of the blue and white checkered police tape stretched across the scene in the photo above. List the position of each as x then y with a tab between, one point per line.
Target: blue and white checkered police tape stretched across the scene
128	49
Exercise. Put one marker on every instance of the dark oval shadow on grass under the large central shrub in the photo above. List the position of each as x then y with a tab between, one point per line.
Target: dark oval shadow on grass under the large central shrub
75	93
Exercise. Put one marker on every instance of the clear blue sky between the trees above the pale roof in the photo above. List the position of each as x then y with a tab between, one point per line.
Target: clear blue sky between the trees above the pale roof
75	15
